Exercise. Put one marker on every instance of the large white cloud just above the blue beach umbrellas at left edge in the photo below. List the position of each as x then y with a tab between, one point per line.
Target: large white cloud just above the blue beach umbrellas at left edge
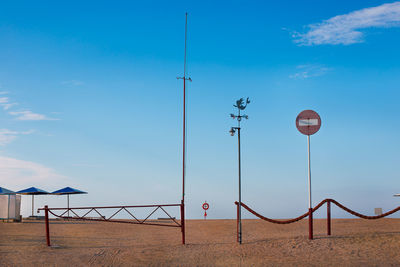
18	174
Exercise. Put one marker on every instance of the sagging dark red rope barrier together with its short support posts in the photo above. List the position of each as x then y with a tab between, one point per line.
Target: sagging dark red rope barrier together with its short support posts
328	202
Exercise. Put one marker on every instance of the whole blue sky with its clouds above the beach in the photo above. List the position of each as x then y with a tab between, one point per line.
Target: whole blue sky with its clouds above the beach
89	99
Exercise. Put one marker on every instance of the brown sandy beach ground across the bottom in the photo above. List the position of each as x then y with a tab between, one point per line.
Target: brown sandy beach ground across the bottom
354	242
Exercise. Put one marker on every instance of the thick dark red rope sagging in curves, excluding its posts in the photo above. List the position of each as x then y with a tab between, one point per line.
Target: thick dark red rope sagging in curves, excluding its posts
315	209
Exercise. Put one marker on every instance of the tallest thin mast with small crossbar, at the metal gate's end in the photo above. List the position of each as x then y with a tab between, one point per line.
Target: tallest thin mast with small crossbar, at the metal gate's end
184	138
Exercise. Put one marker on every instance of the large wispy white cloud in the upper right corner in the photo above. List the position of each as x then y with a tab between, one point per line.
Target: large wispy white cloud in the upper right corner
346	29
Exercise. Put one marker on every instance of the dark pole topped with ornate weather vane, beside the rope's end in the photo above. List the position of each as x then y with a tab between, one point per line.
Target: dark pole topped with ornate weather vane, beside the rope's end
240	106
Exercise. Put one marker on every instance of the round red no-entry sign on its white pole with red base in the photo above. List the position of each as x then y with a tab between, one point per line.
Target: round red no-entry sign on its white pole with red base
308	122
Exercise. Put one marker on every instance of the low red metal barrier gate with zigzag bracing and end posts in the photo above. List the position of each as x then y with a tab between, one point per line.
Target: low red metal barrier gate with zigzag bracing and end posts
63	213
